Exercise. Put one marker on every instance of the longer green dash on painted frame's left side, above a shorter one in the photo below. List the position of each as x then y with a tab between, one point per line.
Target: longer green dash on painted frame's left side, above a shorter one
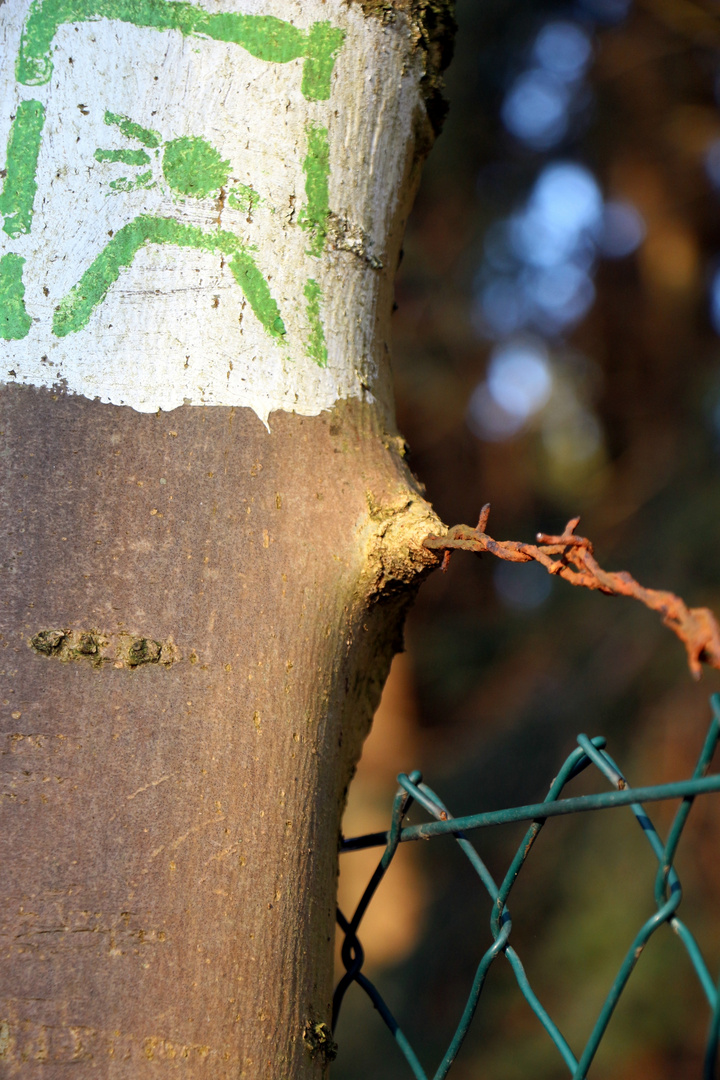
22	164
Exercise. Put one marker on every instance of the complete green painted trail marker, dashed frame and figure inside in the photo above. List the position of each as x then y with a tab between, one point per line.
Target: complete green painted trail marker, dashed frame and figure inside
187	166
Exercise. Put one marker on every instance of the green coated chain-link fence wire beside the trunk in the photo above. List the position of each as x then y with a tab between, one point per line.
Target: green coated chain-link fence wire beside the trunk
668	893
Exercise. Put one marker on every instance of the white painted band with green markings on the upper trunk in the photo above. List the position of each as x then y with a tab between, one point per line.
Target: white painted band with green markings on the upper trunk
179	322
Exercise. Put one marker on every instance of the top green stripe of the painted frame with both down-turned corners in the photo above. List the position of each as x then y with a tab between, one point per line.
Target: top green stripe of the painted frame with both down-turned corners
263	36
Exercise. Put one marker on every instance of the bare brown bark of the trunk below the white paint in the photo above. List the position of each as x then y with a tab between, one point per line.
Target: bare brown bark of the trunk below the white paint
197	618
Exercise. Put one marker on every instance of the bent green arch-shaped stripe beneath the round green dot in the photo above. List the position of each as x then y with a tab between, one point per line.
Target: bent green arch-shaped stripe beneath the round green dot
74	312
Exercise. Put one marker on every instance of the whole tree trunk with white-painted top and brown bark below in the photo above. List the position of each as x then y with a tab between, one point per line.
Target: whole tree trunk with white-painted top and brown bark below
210	537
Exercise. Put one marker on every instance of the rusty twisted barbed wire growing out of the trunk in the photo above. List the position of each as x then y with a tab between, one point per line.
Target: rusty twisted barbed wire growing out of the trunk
572	558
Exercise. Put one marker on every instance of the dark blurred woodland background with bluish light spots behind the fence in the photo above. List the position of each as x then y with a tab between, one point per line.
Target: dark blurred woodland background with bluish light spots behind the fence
558	353
